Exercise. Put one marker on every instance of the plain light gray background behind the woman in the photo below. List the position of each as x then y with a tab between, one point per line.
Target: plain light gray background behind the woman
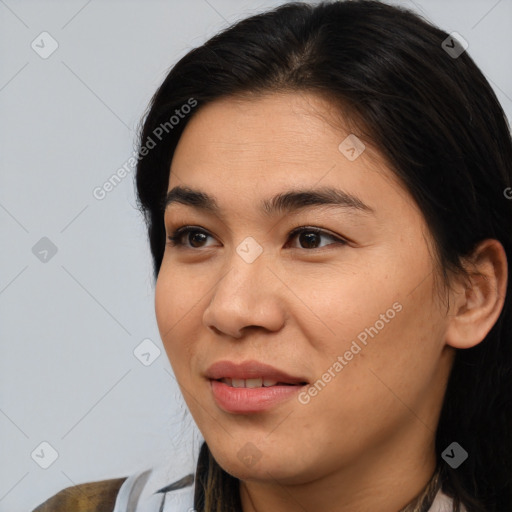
70	325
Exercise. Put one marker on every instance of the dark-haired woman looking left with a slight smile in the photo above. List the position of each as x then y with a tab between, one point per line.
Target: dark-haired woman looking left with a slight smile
325	190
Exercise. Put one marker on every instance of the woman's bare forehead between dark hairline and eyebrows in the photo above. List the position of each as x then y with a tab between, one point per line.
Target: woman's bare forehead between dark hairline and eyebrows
238	147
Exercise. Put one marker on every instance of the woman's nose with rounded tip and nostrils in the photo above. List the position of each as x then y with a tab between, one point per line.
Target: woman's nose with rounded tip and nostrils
247	295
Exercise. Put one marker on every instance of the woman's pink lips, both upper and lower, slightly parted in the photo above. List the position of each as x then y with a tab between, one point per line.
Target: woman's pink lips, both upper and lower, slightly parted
251	400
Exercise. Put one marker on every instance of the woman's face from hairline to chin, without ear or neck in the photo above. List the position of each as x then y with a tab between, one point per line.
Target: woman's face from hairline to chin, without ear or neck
347	305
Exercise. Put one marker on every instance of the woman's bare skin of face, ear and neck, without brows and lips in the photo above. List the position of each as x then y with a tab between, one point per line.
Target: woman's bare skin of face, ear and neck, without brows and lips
366	440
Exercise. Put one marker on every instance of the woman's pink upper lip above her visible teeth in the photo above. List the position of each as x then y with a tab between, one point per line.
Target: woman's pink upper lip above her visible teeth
250	370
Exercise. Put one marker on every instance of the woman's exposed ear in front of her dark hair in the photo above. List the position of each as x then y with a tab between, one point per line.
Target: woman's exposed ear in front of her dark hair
476	303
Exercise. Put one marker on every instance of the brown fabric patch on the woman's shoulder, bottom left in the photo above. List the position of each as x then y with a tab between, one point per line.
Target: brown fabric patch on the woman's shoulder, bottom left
88	497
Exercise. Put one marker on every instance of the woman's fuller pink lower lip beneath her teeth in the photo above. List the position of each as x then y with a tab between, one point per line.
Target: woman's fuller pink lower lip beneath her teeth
247	400
